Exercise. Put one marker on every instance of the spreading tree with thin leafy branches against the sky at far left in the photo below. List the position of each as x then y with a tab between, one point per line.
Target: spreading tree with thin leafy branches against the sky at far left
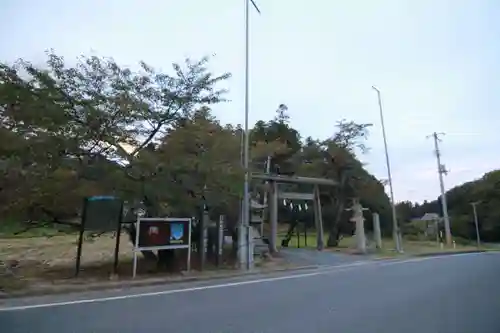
77	117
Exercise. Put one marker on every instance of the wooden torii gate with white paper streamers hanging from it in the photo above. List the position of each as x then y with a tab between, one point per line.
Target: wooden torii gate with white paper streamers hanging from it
274	181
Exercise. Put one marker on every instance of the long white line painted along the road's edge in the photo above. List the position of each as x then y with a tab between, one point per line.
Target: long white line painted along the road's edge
323	271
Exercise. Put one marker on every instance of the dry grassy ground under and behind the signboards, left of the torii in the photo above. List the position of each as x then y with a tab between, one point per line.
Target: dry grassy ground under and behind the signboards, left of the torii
41	260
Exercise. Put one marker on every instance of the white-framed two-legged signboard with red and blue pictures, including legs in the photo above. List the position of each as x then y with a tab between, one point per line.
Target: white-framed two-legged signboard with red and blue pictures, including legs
157	233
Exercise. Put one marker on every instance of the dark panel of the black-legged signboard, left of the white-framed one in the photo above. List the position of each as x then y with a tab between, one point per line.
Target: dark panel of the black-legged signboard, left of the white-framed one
101	213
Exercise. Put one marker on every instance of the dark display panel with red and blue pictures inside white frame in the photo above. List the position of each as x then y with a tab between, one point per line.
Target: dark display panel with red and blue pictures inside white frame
164	233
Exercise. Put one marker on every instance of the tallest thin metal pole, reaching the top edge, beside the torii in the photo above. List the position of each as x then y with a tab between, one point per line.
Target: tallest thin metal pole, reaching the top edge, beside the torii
246	197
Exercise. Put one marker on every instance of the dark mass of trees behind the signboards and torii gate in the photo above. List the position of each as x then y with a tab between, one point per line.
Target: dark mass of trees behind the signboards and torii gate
96	128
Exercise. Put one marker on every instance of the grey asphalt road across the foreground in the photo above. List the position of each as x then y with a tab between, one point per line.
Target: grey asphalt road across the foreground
455	294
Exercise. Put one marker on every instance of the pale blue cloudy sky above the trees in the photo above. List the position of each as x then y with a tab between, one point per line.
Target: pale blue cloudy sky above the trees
434	61
